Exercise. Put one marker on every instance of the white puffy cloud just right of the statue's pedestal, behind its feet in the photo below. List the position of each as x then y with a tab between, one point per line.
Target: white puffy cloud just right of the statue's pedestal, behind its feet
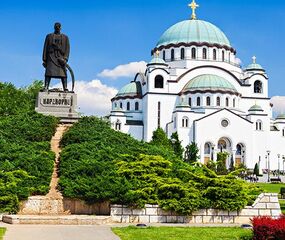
93	98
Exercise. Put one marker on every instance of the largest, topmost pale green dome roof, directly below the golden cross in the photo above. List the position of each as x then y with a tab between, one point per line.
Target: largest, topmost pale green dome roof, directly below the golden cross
197	31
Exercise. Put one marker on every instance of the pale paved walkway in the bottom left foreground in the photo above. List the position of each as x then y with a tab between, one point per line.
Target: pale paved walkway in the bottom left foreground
58	232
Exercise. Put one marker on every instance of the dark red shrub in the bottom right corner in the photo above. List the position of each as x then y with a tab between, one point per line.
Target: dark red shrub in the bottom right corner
268	228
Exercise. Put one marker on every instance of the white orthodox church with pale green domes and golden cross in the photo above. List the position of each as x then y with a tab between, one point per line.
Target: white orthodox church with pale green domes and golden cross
195	86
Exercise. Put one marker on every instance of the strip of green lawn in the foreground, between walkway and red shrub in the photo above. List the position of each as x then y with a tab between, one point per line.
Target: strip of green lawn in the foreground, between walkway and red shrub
178	233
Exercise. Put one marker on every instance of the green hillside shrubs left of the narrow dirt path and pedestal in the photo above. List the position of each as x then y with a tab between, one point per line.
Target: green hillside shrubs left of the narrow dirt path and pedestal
26	162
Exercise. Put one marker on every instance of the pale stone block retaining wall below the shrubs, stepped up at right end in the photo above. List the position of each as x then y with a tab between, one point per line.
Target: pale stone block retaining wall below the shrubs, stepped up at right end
265	205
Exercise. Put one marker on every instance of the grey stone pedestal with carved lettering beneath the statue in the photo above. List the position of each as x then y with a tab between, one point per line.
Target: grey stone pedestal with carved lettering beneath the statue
59	104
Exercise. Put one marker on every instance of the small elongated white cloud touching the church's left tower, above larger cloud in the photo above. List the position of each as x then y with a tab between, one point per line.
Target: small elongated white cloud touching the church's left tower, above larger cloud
125	70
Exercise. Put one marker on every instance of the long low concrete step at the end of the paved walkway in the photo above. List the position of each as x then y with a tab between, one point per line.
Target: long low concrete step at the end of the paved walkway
57	220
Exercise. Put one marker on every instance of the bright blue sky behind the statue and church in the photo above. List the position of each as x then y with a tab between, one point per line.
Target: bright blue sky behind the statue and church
105	34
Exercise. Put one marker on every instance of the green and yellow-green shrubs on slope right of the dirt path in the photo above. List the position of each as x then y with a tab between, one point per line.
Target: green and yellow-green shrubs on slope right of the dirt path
99	164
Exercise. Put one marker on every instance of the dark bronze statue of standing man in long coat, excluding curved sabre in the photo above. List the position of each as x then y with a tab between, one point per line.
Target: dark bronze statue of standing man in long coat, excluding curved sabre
55	57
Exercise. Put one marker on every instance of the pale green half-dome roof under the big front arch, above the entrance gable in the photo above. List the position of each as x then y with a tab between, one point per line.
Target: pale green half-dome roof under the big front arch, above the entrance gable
209	82
